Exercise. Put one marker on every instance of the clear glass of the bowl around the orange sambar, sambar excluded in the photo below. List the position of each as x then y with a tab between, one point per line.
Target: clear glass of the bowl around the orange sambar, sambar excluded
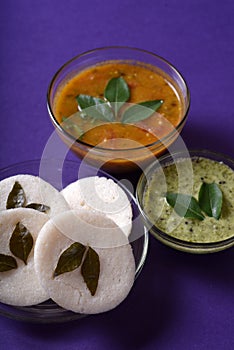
119	160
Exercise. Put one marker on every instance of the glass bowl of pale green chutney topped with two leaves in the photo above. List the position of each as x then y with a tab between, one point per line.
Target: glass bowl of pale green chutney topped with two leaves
186	200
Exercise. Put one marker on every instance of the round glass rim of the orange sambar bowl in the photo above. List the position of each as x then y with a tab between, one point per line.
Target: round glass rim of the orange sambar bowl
116	47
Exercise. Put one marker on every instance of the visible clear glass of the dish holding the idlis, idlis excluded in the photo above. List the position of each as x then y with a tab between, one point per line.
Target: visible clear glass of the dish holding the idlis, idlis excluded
60	176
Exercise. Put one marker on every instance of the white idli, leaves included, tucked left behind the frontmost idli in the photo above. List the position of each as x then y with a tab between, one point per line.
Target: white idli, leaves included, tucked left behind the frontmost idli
19	284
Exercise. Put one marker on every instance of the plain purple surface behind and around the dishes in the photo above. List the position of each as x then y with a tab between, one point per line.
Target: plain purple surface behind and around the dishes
180	301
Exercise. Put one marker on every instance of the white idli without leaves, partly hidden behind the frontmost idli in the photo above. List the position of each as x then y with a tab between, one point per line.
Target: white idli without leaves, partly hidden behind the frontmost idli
103	195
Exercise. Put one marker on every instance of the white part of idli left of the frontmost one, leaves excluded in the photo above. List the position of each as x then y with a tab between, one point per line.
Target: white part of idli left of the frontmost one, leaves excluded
20	286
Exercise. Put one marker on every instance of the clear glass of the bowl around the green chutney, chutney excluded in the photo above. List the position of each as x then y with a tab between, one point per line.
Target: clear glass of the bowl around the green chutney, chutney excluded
191	247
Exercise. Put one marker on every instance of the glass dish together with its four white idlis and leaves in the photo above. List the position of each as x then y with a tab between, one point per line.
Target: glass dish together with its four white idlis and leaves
64	221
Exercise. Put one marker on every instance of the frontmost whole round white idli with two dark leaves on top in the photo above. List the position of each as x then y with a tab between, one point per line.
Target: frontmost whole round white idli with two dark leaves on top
68	269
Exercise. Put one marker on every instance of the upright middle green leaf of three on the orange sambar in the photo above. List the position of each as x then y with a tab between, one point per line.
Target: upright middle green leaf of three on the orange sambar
117	90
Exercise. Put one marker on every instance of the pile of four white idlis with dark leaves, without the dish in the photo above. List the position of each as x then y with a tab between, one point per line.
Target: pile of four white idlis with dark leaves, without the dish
73	249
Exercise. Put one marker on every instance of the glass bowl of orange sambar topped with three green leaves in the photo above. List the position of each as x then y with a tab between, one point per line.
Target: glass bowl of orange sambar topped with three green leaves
118	107
